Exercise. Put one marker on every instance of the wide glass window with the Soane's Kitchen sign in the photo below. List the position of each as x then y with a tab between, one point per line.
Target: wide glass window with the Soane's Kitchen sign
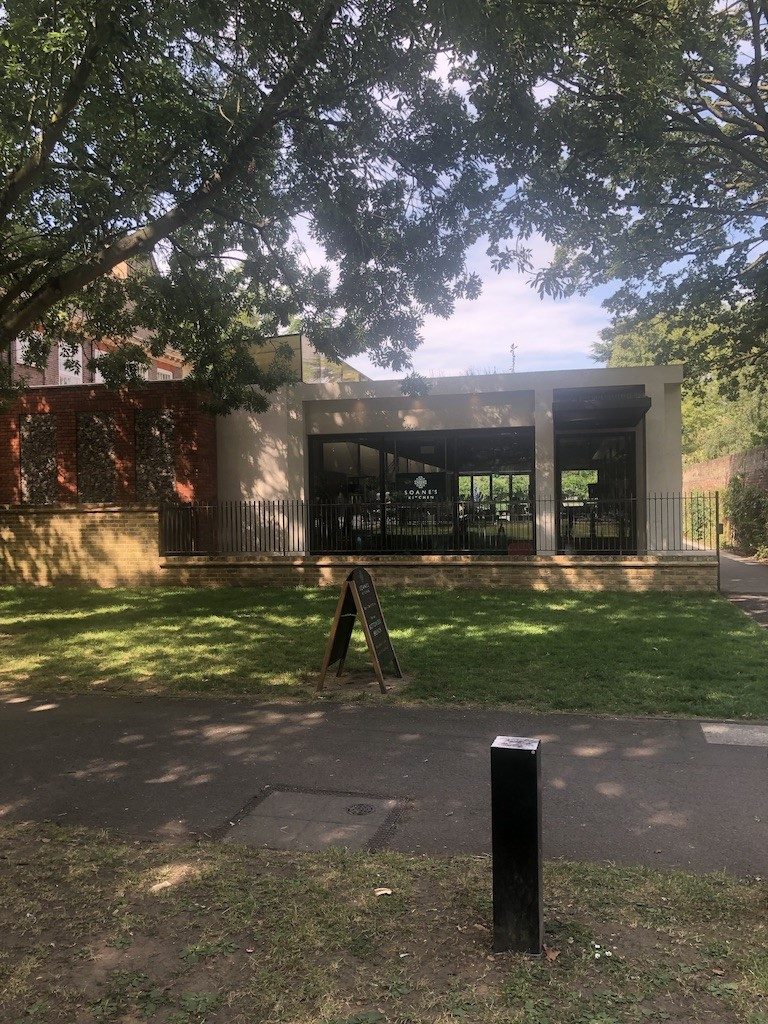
423	492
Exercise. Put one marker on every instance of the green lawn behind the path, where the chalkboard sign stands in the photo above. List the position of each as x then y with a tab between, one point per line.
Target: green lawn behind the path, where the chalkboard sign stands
651	654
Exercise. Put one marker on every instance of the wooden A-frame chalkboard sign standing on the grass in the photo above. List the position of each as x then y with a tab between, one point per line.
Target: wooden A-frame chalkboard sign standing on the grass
359	598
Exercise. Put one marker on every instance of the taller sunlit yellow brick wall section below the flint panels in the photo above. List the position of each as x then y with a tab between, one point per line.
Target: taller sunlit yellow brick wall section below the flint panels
106	547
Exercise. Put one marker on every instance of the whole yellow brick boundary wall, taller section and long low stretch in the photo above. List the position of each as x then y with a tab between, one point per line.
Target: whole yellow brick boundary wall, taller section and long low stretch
107	546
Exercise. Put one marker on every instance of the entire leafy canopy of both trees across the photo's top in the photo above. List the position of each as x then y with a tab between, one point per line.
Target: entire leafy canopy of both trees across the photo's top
335	161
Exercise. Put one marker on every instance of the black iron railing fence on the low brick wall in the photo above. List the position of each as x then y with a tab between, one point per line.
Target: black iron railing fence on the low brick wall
674	524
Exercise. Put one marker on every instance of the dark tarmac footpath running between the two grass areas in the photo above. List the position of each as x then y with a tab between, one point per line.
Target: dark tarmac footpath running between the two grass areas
634	791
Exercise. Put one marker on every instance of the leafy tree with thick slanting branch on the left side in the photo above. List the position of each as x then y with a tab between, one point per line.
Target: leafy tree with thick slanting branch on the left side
224	138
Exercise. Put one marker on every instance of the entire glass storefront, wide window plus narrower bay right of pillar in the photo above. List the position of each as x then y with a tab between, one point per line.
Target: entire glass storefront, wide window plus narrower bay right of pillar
471	491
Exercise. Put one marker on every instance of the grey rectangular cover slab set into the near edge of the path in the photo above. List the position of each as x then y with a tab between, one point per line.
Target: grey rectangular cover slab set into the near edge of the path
291	821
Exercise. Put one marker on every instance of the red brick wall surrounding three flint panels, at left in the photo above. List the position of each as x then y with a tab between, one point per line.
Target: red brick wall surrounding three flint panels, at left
195	444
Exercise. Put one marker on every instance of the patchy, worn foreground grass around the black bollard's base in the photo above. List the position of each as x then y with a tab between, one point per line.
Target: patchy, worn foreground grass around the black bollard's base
97	930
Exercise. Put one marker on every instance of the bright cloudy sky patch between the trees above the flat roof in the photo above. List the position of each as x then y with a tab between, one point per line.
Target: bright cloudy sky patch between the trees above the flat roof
549	334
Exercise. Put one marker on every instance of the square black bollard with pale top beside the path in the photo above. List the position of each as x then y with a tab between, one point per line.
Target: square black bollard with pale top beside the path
517	844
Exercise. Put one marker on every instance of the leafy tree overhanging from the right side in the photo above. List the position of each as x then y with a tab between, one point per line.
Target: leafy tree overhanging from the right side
651	170
